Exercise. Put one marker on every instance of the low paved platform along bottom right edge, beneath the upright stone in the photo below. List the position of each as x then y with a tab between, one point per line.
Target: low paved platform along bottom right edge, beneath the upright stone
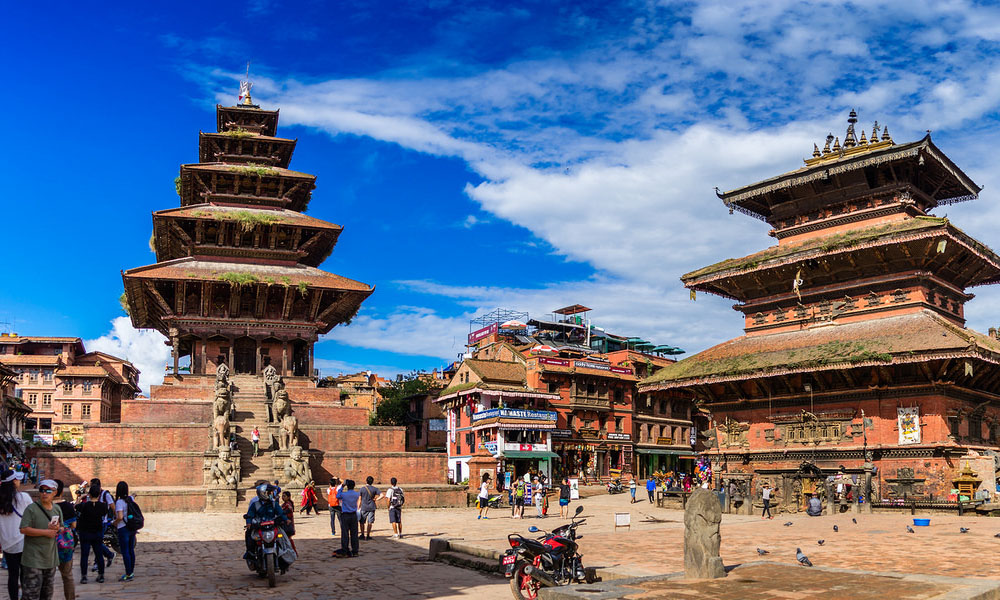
767	581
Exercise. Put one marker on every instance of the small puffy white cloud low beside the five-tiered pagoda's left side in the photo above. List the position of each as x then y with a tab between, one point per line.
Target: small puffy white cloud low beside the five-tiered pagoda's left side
144	348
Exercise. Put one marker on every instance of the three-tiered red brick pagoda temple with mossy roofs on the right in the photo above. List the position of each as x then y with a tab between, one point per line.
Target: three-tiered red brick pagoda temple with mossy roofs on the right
855	358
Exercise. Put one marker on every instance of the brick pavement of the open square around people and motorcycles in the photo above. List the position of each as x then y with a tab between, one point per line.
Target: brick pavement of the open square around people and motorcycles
193	556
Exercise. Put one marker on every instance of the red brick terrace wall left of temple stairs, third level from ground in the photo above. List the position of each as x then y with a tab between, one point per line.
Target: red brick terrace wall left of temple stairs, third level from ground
147	437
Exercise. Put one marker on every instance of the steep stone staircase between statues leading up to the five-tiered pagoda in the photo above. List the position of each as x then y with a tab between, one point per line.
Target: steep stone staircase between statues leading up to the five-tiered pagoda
251	410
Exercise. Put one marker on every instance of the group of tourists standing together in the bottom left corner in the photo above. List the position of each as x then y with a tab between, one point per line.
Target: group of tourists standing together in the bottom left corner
39	537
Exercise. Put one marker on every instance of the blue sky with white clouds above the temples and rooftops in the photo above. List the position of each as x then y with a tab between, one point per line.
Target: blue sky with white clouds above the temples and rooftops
524	155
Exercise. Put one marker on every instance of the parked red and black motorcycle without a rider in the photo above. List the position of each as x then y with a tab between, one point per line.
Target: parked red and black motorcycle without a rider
550	561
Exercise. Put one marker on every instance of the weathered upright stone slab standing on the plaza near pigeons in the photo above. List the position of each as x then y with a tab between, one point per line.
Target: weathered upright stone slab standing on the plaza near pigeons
702	517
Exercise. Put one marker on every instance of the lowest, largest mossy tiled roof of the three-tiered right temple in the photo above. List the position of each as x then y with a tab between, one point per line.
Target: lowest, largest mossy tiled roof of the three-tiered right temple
913	337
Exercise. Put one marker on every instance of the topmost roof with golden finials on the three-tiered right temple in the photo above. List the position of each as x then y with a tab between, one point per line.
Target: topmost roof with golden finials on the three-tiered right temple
940	180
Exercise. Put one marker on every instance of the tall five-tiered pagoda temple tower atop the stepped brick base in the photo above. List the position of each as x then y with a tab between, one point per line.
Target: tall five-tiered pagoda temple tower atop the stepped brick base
235	280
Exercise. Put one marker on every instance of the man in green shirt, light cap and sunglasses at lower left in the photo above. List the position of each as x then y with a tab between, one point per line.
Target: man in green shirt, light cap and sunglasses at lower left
40	525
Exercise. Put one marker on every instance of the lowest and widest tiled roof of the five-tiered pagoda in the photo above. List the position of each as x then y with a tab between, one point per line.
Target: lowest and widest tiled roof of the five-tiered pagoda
204	270
